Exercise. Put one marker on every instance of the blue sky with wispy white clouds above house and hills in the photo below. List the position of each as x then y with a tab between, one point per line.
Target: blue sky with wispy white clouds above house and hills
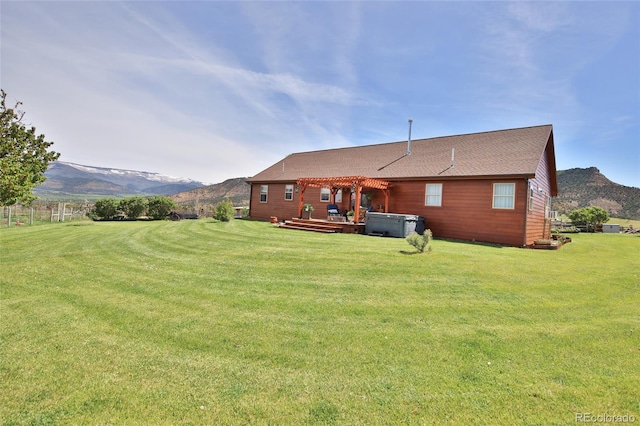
213	90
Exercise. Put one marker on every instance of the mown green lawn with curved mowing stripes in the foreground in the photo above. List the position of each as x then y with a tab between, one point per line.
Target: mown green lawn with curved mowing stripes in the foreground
201	322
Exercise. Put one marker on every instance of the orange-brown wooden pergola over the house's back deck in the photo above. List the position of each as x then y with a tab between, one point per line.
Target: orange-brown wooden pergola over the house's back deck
343	182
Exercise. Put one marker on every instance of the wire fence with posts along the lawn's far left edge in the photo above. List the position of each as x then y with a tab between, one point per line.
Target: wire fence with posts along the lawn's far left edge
18	215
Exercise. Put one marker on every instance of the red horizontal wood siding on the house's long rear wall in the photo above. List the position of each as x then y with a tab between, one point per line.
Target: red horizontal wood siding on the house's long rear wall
466	212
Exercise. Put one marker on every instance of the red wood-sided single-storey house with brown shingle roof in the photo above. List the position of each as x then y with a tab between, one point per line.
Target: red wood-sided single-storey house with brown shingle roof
491	187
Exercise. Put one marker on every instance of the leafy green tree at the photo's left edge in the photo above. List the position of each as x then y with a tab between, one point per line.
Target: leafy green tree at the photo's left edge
24	157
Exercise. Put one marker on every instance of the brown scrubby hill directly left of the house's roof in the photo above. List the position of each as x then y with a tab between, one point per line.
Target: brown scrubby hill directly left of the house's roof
235	189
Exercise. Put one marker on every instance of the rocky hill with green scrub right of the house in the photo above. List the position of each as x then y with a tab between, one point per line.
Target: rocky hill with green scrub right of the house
588	187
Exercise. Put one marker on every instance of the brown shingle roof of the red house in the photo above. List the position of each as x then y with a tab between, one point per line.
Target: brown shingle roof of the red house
513	152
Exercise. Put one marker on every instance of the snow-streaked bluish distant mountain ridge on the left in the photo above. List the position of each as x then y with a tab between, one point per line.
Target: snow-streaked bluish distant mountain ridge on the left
69	180
